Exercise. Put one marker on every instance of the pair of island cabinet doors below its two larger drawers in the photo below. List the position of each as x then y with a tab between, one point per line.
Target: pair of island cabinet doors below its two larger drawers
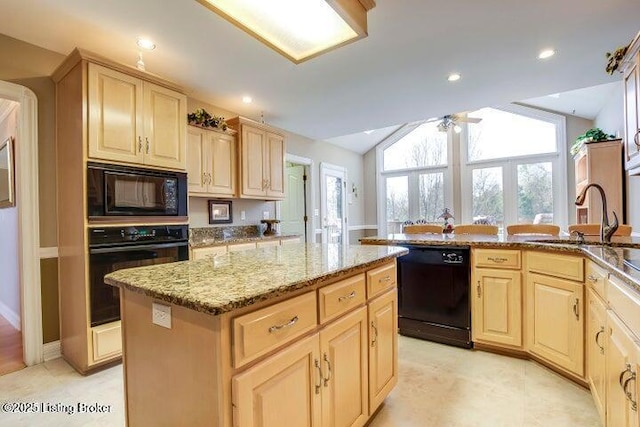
321	380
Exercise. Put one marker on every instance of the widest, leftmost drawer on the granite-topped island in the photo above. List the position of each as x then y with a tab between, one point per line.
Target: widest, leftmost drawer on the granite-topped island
261	331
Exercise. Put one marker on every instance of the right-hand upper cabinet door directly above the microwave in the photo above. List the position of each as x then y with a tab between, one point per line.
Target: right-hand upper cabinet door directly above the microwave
165	123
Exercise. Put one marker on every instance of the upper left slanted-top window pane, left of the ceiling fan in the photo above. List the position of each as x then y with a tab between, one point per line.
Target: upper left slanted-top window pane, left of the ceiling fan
422	147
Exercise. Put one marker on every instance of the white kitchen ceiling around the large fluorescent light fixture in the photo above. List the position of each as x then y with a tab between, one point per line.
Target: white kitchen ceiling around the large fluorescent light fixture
396	75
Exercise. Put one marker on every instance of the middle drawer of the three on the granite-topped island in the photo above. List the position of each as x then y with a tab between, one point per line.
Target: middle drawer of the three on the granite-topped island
340	297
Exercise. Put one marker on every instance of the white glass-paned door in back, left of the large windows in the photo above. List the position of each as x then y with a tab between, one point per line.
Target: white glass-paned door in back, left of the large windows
333	206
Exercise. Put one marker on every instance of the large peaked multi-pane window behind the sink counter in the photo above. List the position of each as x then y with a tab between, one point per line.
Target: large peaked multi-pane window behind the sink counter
511	169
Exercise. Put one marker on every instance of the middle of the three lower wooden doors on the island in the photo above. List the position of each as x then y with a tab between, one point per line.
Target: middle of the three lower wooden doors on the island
344	365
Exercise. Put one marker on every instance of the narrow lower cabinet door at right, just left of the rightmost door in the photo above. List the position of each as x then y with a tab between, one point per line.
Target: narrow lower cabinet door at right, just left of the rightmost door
595	341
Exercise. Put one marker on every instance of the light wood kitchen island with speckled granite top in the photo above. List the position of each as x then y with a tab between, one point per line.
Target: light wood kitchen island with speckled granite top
303	333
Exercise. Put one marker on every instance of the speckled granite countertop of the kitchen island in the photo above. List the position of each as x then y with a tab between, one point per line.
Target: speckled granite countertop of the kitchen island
228	282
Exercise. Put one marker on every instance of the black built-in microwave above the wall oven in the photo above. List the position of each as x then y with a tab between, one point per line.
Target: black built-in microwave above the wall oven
114	190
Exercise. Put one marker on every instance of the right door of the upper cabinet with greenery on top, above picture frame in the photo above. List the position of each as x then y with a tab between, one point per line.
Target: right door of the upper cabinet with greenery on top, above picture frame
223	160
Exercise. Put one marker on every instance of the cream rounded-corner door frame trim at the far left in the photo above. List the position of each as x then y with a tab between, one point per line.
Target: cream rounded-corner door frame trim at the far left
28	204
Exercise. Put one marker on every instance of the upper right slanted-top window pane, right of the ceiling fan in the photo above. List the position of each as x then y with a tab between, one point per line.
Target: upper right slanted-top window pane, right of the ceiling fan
502	134
